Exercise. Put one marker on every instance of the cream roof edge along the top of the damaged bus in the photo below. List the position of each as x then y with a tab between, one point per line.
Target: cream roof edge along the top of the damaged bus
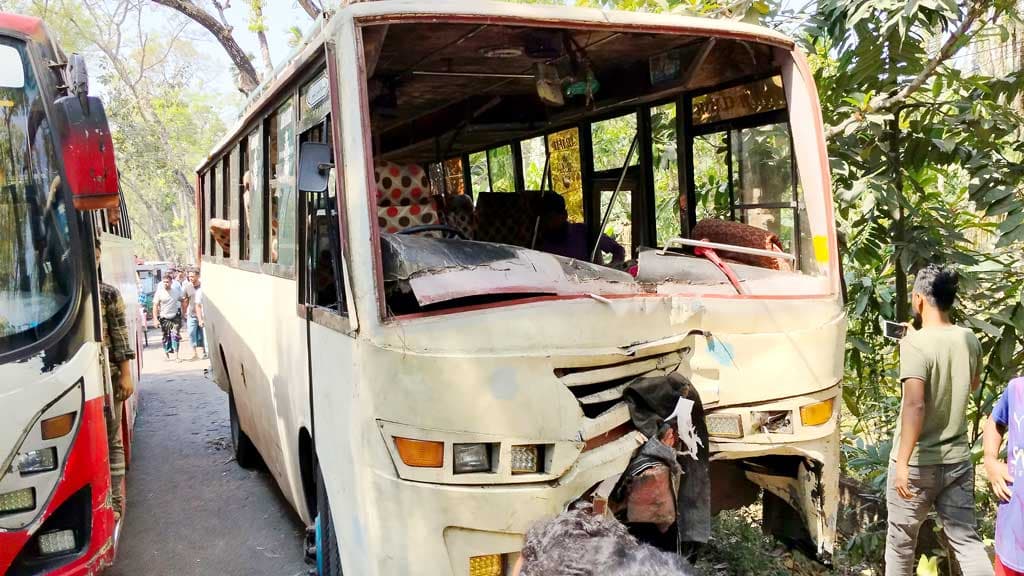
483	12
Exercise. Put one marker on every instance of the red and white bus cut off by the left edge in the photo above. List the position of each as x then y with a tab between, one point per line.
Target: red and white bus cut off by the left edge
58	184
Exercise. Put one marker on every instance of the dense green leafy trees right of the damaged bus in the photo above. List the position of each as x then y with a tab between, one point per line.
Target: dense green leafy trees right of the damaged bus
927	169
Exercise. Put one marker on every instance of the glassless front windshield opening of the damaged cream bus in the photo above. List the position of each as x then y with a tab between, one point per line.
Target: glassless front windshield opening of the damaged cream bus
517	161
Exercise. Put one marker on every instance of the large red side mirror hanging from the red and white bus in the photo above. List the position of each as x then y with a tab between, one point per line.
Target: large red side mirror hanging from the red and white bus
89	153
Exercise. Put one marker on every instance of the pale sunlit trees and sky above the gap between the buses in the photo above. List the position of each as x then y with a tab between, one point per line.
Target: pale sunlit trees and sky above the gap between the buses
163	116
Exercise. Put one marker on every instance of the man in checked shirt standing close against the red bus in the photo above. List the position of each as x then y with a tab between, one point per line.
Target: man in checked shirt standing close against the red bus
120	355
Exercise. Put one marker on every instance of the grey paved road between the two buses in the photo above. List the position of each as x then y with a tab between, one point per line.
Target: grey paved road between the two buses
192	511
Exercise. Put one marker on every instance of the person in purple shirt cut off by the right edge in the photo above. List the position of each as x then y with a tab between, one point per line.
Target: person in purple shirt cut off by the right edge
1008	420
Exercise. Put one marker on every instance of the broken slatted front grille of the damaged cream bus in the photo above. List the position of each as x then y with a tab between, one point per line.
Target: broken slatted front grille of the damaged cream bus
600	392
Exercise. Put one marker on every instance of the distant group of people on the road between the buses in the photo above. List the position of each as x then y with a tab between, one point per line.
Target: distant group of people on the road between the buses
178	302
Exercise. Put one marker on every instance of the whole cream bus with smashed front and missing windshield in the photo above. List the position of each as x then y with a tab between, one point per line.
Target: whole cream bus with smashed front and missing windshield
423	377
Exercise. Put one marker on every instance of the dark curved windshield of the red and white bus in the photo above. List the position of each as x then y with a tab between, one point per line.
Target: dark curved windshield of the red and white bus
36	272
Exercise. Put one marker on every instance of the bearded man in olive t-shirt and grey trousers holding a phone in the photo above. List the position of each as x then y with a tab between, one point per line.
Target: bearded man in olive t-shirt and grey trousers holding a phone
931	457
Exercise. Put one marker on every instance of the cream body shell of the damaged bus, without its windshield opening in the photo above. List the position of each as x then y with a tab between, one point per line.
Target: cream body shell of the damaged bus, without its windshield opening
329	390
